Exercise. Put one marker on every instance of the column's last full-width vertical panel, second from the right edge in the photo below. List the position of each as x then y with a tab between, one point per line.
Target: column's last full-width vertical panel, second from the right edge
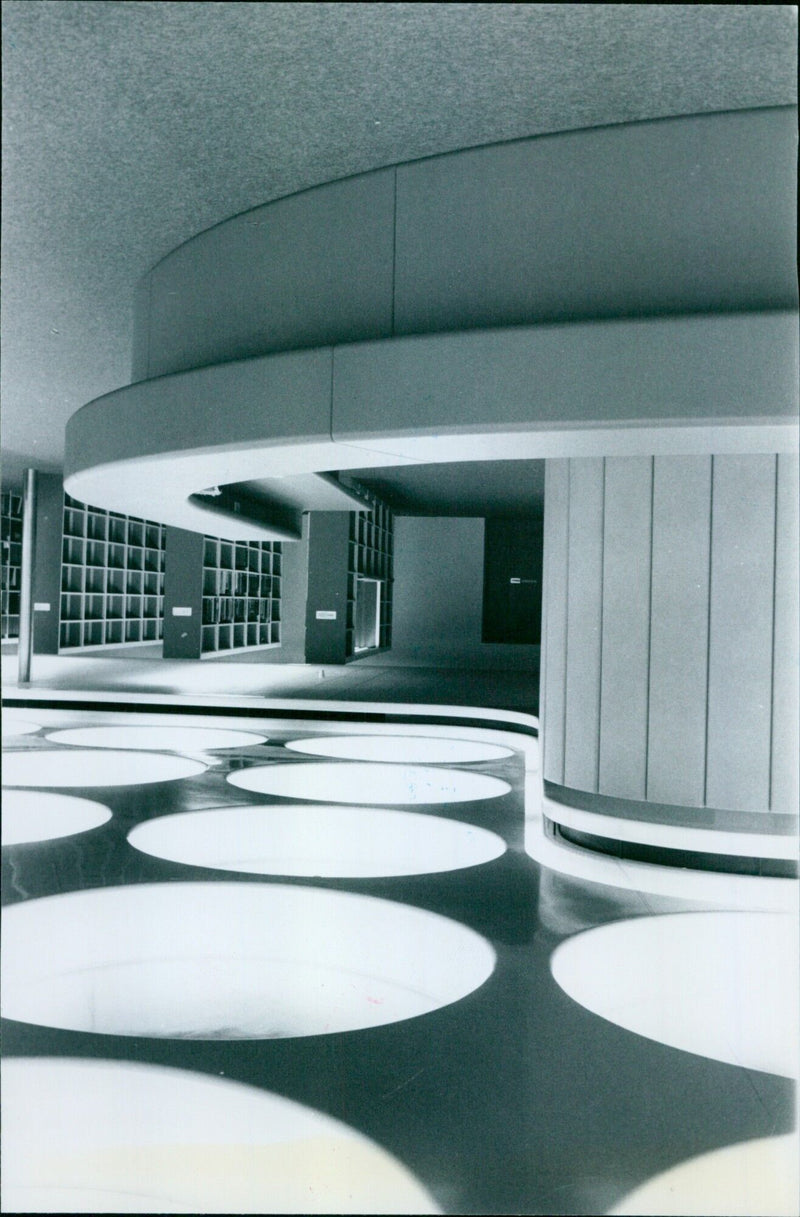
741	633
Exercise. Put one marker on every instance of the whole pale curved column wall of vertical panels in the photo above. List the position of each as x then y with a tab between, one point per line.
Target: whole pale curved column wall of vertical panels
672	641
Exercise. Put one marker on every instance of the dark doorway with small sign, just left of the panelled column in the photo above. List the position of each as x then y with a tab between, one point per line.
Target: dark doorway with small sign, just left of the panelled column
513	581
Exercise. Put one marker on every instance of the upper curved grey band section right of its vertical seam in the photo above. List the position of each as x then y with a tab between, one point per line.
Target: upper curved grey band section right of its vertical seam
482	233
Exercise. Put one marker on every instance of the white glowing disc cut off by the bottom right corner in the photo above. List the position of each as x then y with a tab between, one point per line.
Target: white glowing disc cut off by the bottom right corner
759	1179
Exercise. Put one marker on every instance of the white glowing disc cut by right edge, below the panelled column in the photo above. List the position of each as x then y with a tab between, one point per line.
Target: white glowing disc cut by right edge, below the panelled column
721	985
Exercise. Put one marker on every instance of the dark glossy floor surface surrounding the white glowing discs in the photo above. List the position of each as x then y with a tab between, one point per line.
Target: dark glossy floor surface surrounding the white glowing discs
514	1098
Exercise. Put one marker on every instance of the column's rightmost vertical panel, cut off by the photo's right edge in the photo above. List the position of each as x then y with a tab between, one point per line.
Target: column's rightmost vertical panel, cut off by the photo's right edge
786	734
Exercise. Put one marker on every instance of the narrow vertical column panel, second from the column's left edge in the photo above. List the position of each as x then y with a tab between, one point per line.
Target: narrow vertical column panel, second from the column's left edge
584	625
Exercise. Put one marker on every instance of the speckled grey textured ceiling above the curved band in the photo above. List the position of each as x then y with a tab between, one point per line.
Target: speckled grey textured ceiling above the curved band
131	127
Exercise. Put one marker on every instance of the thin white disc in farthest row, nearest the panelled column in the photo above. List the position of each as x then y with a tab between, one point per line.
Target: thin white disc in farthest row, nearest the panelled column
401	749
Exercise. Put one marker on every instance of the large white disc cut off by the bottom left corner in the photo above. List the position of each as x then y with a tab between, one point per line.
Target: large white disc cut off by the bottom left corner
97	1136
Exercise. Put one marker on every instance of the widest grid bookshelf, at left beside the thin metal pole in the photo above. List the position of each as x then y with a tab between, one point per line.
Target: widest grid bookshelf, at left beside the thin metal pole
113	579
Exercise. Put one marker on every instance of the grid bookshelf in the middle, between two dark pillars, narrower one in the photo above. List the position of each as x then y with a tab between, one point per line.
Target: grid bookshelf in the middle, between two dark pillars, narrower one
240	596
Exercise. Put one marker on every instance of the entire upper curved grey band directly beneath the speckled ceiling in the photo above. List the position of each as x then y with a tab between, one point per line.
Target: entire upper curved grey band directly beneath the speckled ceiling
680	216
